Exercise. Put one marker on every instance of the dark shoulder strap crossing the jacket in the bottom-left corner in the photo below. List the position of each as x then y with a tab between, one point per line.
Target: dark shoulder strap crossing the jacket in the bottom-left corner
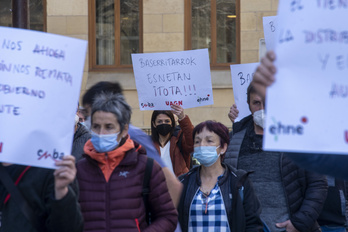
18	198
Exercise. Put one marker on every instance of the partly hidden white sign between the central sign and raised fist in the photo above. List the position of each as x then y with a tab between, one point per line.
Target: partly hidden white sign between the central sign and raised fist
242	75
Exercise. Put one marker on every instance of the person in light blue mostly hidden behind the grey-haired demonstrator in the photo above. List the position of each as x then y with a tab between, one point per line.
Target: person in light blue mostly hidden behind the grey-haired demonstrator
135	133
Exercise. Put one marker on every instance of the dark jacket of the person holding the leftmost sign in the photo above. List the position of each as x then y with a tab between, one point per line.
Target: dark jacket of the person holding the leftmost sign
37	187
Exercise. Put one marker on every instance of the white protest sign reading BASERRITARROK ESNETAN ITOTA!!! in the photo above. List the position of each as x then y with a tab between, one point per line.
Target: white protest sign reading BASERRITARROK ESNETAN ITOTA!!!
182	78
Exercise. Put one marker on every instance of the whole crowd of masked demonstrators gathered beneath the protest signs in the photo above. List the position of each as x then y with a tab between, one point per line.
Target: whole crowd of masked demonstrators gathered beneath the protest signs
237	186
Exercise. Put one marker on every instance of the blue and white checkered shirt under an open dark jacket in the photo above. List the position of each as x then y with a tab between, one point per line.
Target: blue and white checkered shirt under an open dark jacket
208	213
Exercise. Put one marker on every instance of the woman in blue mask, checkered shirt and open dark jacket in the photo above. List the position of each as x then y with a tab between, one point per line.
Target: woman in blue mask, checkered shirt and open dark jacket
216	197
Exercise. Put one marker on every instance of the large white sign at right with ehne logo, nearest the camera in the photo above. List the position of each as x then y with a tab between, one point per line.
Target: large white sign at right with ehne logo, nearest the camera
307	105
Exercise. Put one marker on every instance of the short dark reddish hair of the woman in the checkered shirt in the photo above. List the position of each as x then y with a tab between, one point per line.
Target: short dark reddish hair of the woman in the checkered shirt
216	127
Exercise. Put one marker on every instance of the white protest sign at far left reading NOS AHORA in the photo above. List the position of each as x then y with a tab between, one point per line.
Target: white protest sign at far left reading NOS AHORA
40	79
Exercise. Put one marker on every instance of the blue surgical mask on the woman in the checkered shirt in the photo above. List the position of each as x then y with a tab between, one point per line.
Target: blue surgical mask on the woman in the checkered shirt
206	155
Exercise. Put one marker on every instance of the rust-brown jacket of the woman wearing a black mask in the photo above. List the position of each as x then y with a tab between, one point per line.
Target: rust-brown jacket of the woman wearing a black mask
183	139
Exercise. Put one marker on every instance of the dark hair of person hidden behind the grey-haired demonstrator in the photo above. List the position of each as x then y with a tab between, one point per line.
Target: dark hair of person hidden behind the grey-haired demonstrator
102	86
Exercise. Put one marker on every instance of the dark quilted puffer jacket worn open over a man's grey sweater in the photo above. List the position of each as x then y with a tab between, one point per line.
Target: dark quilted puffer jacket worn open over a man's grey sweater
305	192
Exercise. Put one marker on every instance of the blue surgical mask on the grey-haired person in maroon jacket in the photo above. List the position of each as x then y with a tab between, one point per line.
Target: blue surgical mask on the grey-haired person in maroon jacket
104	143
